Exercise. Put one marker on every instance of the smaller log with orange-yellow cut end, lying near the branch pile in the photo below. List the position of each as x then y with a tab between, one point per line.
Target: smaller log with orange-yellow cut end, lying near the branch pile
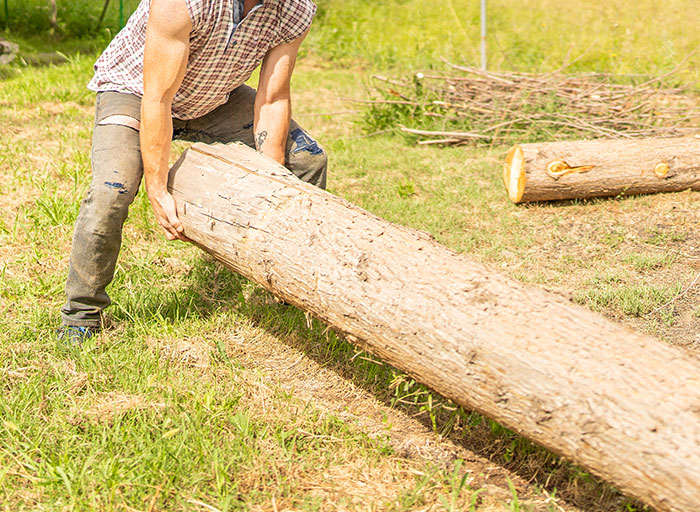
600	168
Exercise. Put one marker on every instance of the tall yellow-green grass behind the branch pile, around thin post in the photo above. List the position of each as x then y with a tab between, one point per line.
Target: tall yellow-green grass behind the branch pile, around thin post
531	35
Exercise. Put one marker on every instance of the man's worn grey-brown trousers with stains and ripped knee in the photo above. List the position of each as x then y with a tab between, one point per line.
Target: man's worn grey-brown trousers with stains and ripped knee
117	170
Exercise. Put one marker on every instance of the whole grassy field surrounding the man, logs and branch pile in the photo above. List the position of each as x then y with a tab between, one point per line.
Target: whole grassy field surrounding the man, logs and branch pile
205	393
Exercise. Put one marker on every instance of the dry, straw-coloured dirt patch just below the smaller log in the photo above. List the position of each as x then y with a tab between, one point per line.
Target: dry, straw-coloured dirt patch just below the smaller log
604	244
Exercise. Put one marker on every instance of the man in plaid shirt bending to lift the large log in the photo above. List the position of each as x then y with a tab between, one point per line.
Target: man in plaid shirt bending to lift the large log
177	70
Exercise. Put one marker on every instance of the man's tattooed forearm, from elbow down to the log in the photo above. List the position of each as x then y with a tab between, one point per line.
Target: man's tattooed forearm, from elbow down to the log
271	128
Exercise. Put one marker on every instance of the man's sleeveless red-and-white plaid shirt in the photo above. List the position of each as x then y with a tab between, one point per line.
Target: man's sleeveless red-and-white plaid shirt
223	52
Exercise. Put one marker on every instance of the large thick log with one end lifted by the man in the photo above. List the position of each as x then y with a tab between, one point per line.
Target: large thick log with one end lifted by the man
620	403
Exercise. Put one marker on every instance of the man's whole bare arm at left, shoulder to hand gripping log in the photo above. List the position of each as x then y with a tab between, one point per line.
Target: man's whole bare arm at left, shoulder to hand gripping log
164	65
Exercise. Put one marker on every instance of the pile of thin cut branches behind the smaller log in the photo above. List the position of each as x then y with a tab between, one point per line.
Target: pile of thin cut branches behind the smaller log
482	107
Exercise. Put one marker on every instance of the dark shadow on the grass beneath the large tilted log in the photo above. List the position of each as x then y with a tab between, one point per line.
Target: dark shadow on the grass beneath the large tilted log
213	288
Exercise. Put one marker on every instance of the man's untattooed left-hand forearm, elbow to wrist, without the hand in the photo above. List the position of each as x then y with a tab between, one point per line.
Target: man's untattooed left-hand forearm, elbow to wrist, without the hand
156	134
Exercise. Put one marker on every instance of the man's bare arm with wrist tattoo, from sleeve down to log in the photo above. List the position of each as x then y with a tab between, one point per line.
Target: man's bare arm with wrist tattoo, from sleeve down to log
273	104
